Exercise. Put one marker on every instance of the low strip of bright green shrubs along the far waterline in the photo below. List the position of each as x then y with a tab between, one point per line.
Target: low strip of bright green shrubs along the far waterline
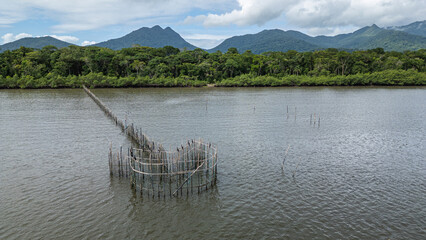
98	80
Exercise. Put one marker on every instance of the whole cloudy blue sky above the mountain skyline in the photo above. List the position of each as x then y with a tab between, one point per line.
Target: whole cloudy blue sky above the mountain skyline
204	23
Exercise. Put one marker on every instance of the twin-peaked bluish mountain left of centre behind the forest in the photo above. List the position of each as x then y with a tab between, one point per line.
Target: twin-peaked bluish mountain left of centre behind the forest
148	37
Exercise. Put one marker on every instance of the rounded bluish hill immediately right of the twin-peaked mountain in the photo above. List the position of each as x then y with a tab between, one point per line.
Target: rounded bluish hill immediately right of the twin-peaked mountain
265	41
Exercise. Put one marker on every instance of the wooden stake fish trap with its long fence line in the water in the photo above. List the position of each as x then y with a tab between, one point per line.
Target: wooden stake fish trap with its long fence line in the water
155	172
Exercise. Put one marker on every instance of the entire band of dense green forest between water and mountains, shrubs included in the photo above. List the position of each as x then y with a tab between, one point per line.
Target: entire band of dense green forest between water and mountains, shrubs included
73	66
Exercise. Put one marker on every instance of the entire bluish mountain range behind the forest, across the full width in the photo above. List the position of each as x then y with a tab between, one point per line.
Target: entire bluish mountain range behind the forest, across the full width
409	37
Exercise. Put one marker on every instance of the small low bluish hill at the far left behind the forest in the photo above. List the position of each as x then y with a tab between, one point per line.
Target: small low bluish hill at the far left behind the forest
34	42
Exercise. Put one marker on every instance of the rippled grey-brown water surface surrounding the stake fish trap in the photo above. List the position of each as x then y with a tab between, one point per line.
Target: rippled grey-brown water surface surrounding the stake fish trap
361	174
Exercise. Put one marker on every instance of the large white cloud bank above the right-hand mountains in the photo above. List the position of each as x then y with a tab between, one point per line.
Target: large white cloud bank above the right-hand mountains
319	15
